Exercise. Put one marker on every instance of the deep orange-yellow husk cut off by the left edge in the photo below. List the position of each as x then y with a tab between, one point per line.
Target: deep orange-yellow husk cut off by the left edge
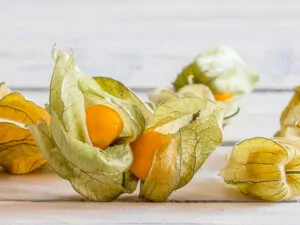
18	151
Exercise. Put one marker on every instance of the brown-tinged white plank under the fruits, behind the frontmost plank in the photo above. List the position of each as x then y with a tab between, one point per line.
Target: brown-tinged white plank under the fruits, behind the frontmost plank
45	186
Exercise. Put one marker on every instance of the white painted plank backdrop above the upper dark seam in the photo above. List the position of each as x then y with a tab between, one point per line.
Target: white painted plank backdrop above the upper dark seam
147	44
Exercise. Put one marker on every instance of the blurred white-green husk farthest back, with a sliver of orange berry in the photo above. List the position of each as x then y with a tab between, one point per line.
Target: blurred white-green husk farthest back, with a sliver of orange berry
224	72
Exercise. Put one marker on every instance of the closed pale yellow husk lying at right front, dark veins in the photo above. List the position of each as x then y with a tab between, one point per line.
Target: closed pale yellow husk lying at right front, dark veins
265	168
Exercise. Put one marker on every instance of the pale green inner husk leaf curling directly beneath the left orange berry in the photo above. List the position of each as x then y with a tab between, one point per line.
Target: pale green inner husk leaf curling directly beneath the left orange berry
115	159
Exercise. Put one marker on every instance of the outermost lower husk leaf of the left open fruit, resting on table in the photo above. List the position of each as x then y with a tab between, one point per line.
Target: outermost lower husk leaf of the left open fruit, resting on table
94	186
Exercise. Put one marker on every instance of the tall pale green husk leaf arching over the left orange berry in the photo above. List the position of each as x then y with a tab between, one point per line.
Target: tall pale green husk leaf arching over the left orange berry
79	92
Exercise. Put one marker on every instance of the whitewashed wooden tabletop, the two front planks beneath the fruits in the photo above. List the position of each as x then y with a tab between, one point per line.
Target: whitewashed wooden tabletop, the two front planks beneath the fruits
44	198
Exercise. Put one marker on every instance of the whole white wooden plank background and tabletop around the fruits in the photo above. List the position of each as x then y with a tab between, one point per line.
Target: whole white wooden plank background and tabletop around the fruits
145	44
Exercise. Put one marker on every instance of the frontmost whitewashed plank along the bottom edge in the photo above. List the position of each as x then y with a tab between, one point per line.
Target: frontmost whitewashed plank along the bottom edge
29	213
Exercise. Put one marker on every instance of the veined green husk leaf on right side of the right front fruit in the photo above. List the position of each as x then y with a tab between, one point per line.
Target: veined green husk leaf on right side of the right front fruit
198	140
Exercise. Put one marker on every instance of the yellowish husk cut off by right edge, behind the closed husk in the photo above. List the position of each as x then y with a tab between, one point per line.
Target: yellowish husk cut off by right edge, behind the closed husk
290	118
